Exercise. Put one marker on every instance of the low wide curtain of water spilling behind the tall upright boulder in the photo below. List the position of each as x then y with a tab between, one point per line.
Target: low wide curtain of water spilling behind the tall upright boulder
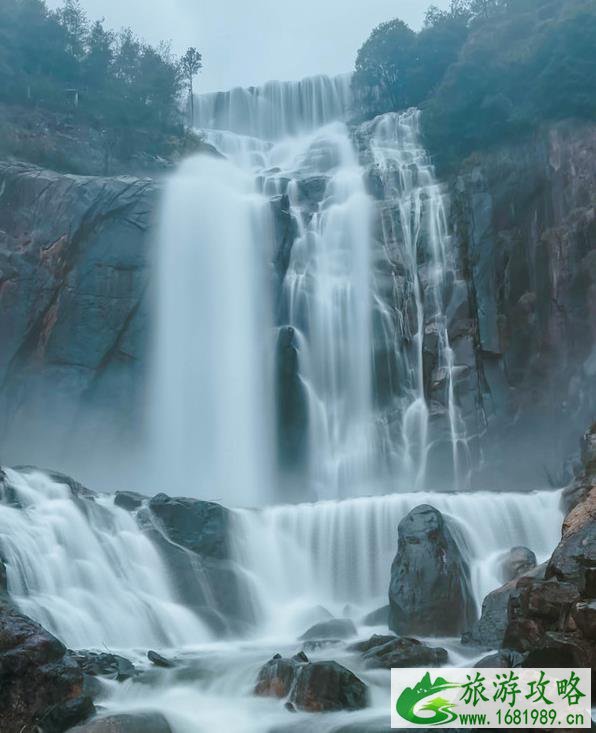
336	553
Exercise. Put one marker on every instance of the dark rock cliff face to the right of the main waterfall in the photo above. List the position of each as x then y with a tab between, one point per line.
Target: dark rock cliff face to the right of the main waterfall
525	218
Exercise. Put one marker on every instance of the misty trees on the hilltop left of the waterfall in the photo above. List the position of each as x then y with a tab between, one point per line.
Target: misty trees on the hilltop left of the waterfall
60	61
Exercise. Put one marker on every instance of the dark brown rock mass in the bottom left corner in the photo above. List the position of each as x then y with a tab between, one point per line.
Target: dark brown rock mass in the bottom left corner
39	680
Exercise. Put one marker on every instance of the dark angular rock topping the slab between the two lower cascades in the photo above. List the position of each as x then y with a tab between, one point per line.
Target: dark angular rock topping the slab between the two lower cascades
199	526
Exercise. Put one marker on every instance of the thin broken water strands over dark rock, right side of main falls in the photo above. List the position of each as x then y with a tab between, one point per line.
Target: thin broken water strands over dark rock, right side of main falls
416	218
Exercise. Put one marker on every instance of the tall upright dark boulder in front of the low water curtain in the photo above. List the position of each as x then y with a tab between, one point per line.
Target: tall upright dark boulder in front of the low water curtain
430	591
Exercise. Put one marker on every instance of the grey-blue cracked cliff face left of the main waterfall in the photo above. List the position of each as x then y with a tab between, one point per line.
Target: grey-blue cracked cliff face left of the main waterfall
73	277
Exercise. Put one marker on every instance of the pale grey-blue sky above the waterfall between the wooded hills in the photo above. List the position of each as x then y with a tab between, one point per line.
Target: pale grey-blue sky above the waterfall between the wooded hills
246	42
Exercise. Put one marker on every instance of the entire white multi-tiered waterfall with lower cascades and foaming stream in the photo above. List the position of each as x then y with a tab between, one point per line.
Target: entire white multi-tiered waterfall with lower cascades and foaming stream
360	292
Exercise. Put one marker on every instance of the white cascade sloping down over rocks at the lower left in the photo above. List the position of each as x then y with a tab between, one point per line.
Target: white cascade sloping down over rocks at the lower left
85	571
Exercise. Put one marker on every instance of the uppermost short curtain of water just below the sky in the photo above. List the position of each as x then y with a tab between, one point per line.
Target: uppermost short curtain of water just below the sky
277	109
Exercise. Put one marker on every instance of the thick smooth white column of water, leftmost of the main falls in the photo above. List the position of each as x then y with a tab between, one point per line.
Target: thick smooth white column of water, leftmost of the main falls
210	412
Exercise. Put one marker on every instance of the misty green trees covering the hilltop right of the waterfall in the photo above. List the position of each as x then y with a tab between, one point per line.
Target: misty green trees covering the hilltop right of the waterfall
484	71
